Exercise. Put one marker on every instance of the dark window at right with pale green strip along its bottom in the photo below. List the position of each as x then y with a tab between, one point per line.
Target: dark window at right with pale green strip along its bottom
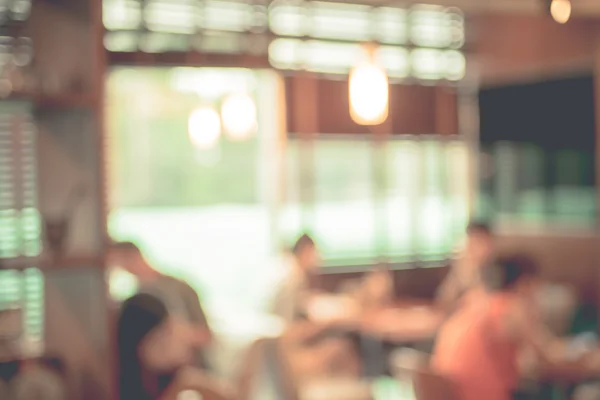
538	143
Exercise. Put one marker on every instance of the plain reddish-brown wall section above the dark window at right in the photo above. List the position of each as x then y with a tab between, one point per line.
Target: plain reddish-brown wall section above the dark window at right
508	47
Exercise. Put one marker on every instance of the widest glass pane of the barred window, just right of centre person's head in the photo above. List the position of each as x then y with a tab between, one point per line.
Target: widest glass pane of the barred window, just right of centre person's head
344	208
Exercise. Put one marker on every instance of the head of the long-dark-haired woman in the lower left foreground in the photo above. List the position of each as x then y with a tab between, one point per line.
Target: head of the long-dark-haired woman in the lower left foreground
149	341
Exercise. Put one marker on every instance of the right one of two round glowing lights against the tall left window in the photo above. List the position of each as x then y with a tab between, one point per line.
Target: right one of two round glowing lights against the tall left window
238	113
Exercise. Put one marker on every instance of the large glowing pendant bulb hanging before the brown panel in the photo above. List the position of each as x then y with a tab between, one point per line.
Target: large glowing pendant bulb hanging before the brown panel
369	95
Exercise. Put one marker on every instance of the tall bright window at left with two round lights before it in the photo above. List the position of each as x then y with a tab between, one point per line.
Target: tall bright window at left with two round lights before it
201	211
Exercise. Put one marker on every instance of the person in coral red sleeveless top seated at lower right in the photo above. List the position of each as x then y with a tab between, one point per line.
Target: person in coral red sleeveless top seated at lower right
479	346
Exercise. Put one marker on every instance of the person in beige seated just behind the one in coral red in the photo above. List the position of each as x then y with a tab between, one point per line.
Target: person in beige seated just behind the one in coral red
464	275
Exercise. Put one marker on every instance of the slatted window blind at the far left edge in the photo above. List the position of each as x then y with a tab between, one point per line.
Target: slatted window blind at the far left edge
19	216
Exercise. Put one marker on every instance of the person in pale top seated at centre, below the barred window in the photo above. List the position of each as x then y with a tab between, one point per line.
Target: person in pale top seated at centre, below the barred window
311	352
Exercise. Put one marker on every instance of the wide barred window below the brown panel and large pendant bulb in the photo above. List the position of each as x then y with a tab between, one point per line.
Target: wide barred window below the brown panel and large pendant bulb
403	200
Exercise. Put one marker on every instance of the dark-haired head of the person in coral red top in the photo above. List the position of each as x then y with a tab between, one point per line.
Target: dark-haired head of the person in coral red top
511	273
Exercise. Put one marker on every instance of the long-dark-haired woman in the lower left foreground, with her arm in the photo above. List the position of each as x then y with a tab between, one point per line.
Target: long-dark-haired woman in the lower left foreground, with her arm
154	354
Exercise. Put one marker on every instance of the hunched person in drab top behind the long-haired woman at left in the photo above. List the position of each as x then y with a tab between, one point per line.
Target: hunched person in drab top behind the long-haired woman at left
179	297
